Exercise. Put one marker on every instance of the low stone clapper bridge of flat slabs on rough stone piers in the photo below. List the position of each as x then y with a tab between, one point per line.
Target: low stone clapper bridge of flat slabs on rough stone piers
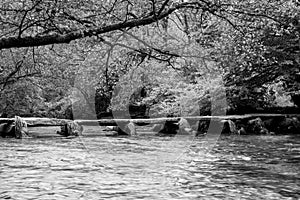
236	124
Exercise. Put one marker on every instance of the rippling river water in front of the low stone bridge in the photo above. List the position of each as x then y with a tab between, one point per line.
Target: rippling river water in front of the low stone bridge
150	167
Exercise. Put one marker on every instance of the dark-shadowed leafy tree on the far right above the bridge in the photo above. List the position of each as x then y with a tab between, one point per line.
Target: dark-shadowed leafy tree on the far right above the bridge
267	54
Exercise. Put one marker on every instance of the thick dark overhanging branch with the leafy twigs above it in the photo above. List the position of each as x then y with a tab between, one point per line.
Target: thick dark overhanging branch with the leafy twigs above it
37	23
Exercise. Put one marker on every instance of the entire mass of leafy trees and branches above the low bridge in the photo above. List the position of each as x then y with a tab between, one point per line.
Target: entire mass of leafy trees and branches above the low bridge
49	47
